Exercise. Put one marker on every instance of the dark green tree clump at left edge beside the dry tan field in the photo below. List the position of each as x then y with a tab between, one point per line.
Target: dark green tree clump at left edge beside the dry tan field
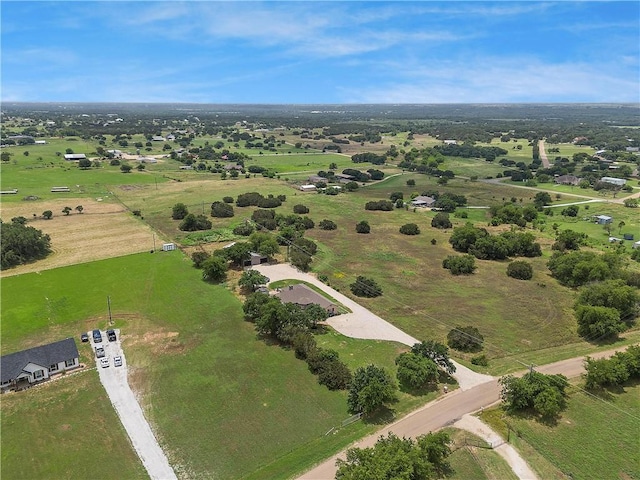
21	244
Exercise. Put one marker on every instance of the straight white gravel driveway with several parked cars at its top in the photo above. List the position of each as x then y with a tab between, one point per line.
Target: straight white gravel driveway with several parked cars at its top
114	380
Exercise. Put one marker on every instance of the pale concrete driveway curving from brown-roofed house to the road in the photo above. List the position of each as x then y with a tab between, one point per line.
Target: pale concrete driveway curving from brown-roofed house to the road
362	323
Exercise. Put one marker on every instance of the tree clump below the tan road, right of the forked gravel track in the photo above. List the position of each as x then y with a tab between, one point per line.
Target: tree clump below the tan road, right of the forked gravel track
542	394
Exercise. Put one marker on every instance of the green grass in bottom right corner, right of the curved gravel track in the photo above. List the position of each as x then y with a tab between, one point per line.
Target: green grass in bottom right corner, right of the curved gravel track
613	447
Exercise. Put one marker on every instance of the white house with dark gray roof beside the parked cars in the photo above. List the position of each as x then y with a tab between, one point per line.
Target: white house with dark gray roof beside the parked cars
23	369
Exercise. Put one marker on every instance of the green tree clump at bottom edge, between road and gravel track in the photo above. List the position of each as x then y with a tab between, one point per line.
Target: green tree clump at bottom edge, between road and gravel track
392	457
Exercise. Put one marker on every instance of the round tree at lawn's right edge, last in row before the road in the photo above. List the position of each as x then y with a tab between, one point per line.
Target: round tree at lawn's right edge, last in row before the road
371	388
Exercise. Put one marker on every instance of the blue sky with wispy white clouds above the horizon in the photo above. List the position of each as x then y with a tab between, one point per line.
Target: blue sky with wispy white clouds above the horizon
320	52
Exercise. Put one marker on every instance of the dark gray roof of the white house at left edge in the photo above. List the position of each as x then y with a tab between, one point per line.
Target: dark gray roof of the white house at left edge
45	355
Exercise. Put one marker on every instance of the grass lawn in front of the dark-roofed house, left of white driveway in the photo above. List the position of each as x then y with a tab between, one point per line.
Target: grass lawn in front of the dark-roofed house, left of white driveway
65	429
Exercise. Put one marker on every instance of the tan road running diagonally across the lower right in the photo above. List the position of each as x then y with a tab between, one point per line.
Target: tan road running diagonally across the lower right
445	411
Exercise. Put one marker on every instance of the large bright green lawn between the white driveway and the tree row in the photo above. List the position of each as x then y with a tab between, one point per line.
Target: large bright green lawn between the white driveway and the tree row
223	402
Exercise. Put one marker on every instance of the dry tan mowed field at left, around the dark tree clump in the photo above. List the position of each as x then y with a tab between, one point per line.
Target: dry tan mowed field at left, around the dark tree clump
103	230
